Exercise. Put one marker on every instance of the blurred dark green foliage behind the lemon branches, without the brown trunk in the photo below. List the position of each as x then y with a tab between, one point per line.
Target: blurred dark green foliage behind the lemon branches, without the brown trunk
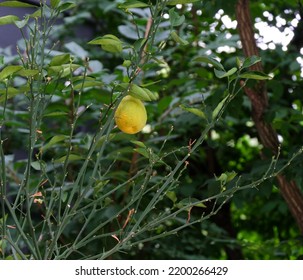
255	223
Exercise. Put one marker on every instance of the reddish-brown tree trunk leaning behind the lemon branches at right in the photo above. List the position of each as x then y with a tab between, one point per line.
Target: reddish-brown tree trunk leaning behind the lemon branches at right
259	100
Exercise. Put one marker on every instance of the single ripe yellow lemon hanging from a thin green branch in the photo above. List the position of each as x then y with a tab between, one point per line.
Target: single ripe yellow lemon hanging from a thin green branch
130	115
